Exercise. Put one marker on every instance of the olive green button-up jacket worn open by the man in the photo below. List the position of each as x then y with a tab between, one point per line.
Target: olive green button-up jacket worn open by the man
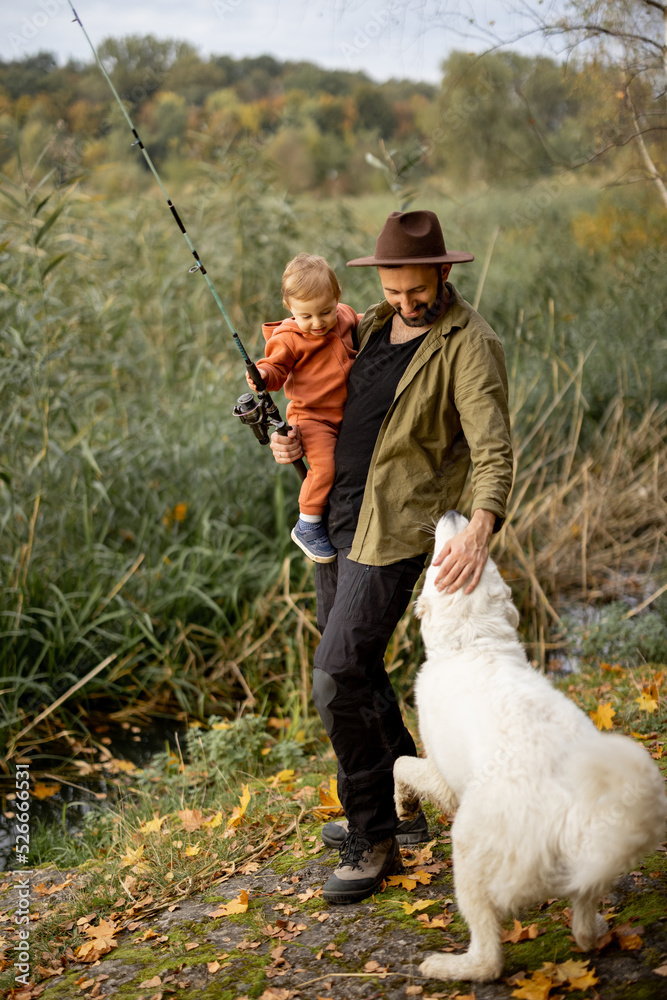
450	409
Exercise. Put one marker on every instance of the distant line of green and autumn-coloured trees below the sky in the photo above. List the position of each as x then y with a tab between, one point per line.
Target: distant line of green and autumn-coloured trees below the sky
493	119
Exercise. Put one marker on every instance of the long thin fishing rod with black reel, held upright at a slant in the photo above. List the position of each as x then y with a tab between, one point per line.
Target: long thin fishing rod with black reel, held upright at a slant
261	413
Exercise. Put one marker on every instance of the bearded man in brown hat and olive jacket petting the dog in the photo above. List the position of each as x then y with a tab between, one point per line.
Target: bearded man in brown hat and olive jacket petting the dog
427	396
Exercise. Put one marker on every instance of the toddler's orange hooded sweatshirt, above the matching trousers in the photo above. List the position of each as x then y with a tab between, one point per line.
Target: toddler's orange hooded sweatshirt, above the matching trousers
313	369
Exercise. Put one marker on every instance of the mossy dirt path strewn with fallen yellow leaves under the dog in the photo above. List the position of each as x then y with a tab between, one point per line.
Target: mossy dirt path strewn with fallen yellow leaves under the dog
289	943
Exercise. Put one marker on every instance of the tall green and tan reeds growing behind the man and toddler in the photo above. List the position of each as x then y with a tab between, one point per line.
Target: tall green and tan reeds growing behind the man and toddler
141	525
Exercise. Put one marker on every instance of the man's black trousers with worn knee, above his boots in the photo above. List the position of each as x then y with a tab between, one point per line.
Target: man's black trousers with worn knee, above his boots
358	608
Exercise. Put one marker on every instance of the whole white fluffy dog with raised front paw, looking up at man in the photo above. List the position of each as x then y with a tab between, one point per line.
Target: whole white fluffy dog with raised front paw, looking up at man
546	805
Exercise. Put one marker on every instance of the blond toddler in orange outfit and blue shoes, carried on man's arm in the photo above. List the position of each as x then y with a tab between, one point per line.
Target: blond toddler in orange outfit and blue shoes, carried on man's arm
311	355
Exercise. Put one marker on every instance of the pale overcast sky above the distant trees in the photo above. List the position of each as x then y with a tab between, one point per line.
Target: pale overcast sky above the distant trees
385	38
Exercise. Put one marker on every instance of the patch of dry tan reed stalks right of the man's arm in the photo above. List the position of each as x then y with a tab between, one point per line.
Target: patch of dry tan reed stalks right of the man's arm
601	517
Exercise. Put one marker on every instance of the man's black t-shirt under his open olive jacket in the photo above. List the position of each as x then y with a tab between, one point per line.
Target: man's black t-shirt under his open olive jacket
370	392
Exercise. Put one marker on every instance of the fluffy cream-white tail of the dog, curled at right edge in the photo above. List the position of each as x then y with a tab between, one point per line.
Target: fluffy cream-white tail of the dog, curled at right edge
620	812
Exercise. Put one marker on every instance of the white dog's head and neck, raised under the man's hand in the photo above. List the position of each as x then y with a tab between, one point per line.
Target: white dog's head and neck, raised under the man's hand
459	619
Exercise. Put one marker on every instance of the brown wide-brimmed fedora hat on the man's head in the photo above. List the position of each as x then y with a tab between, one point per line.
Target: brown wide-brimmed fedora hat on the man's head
411	238
